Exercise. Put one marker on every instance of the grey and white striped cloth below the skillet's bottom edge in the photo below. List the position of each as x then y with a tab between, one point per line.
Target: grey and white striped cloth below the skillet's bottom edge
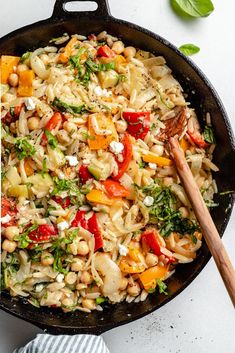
45	343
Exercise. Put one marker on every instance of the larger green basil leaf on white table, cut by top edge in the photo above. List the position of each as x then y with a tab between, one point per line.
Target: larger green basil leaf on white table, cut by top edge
193	8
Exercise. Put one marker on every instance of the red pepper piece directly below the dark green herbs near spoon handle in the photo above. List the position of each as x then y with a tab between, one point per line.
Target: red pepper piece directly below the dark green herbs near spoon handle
150	240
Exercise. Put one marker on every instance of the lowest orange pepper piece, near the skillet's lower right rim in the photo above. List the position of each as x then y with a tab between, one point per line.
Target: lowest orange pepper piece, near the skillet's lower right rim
148	278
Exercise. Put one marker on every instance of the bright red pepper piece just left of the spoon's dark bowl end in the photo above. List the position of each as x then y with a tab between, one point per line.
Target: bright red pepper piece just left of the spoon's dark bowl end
138	123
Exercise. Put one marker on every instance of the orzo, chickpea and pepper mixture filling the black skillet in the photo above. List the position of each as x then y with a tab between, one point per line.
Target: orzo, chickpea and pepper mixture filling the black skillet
92	207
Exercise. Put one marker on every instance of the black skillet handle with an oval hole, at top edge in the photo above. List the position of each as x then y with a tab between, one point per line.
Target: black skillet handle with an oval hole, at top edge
60	12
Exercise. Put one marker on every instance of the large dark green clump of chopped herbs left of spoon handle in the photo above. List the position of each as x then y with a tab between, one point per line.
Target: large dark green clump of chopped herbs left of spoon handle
164	213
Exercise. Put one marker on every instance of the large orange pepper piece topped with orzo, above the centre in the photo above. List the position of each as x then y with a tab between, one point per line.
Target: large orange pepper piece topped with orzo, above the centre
104	122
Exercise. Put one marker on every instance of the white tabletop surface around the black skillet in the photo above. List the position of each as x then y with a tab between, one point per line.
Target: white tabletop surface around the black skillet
201	319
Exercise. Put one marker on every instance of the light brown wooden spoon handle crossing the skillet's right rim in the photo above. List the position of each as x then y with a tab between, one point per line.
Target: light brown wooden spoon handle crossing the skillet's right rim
209	230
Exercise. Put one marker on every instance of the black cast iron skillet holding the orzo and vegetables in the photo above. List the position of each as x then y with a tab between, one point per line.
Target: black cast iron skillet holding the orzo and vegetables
203	97
